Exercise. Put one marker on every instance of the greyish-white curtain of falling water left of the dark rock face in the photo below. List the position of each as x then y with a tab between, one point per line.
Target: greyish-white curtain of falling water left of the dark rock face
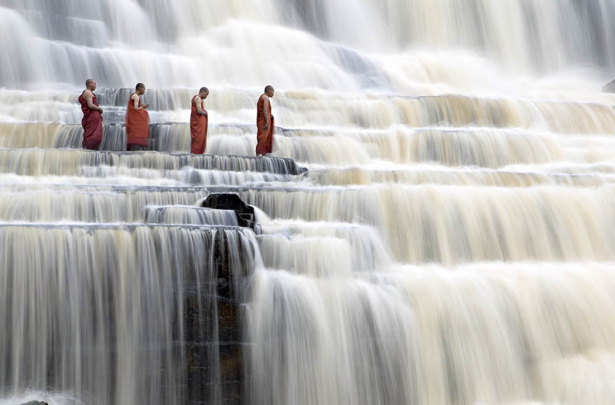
112	311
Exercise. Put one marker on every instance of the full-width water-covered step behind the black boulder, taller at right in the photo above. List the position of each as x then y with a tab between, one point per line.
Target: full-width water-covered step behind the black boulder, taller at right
496	215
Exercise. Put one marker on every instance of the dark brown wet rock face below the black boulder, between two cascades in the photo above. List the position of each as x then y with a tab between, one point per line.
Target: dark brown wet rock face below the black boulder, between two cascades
213	362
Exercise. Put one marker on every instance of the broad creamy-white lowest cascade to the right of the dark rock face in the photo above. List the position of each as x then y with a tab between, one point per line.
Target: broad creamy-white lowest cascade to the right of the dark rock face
494	333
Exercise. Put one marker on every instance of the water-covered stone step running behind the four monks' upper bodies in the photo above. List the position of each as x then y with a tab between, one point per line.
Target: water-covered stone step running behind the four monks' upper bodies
343	110
